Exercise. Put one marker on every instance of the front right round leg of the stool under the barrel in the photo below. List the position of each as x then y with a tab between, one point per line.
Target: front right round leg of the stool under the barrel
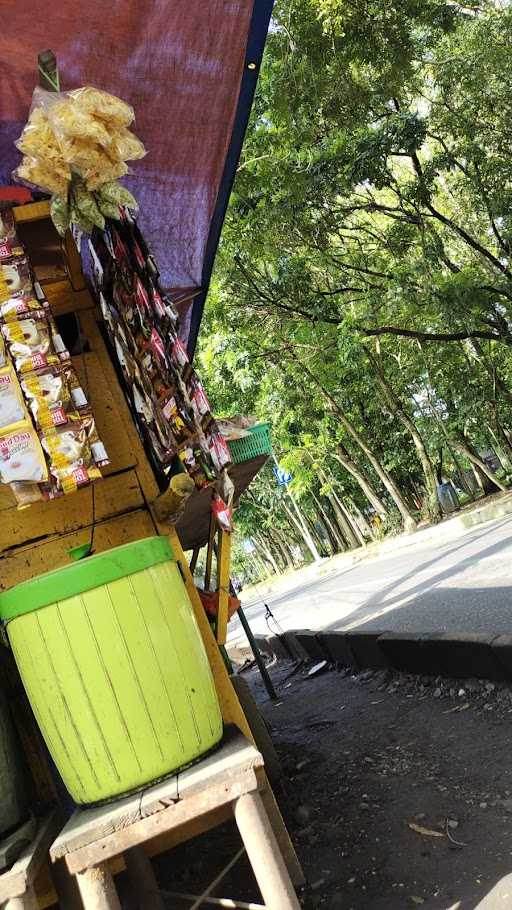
262	849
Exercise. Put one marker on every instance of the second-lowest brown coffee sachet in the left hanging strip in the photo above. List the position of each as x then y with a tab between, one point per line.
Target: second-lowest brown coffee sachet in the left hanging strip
55	396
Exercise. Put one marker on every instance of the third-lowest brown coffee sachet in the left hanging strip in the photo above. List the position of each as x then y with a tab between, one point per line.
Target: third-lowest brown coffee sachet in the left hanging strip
34	343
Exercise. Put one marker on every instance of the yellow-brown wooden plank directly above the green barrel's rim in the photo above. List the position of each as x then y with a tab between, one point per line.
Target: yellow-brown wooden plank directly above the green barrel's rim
28	562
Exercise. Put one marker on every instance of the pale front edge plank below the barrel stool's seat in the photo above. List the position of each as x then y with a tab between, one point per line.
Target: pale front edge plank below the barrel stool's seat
171	818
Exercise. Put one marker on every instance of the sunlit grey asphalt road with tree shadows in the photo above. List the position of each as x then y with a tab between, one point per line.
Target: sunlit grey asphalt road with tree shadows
461	585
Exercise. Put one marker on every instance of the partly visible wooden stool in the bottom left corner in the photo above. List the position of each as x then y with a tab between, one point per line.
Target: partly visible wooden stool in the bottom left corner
17	884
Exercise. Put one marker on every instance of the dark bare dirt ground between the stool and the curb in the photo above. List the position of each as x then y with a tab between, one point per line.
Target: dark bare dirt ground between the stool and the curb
367	757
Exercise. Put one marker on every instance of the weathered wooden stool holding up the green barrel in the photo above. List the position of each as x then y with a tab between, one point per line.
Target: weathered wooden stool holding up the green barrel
231	778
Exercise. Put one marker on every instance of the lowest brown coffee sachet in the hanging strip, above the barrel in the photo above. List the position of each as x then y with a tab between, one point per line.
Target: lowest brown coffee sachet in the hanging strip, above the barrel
75	454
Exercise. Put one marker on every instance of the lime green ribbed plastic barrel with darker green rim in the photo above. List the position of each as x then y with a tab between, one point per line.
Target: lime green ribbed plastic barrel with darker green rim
115	669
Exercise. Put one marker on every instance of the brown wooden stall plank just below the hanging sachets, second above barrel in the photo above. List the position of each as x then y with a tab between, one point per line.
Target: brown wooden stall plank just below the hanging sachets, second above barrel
112	496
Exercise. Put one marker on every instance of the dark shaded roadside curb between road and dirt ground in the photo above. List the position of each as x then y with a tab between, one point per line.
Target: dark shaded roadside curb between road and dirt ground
451	654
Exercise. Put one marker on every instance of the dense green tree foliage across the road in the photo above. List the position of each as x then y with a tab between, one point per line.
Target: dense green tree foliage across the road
362	297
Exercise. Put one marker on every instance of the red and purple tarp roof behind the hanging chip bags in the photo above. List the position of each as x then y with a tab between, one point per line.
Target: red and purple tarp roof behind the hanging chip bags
179	63
